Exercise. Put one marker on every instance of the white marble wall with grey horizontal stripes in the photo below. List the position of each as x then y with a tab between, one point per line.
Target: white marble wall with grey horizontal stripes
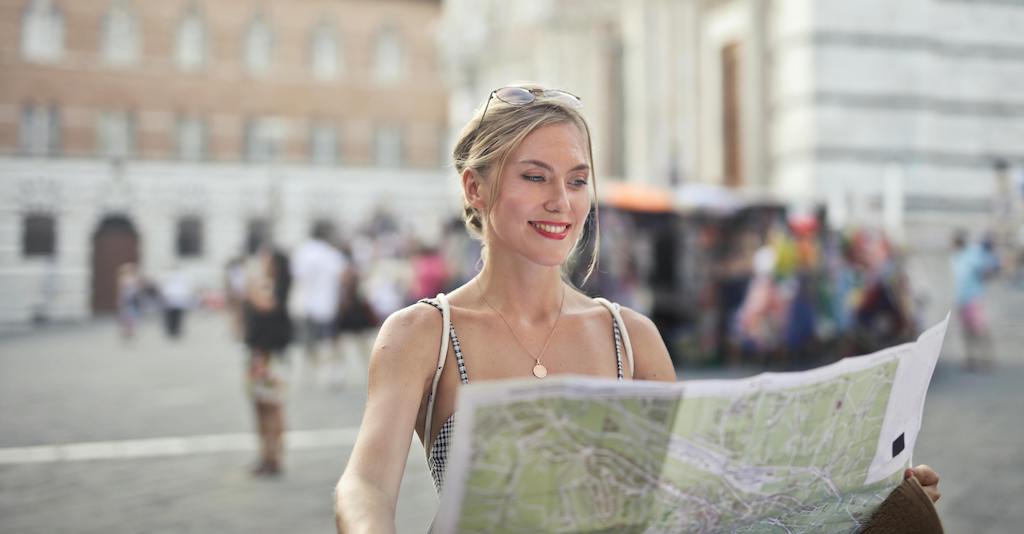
928	91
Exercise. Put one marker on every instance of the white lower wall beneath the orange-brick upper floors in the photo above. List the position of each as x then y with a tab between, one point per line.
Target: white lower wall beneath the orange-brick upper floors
154	195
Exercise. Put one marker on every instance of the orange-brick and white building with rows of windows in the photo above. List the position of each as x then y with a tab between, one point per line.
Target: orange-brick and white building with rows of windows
168	133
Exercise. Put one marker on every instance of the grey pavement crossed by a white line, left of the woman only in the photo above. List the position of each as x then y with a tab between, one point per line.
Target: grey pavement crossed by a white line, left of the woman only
82	386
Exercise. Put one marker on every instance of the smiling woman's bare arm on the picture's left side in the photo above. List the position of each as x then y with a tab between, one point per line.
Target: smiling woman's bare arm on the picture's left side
401	369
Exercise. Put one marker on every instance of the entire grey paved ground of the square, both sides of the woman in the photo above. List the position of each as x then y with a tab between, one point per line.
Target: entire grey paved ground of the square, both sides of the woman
121	402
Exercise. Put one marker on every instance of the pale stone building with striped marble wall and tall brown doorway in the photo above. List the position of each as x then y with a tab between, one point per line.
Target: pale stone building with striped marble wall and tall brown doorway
887	113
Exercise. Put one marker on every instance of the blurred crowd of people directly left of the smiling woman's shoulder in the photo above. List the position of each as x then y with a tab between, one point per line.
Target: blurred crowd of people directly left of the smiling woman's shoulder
342	289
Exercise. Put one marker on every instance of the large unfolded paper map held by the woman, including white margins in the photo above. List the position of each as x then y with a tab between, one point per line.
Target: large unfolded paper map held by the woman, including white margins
814	451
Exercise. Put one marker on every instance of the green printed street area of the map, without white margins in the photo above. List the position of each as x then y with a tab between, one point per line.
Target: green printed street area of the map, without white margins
791	461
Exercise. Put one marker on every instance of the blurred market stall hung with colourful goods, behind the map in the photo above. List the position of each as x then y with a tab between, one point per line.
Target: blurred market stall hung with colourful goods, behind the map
759	286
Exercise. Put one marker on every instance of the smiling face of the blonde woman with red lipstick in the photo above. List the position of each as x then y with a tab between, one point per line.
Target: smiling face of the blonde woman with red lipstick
544	196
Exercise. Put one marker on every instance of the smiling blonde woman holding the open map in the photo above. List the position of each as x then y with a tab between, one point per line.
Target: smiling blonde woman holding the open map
529	186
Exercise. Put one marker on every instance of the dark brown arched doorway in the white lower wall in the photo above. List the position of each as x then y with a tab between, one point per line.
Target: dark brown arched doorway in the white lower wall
114	244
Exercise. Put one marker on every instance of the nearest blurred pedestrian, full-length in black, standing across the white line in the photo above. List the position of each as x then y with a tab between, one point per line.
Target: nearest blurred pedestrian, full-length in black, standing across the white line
269	332
